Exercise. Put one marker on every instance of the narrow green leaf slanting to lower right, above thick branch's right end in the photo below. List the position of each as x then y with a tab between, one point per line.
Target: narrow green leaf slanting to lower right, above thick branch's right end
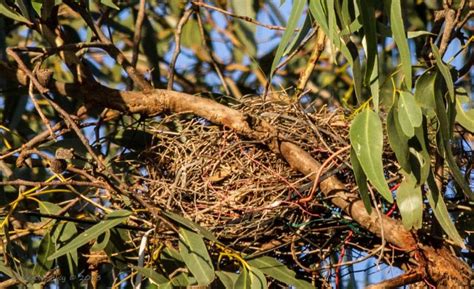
440	211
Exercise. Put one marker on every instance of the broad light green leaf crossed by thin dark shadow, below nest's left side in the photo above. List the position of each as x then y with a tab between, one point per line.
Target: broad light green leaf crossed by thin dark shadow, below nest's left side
195	256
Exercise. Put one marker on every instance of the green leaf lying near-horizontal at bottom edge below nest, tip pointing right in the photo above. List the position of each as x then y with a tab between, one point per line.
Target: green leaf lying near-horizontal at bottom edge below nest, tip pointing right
273	268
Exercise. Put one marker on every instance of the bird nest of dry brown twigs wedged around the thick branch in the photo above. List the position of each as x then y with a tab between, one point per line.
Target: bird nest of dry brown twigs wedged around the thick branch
237	187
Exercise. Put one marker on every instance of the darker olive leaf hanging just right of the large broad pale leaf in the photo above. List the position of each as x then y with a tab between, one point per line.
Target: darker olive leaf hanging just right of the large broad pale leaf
397	139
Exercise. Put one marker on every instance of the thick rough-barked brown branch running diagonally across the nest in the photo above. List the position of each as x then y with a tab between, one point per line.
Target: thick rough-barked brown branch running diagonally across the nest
437	264
